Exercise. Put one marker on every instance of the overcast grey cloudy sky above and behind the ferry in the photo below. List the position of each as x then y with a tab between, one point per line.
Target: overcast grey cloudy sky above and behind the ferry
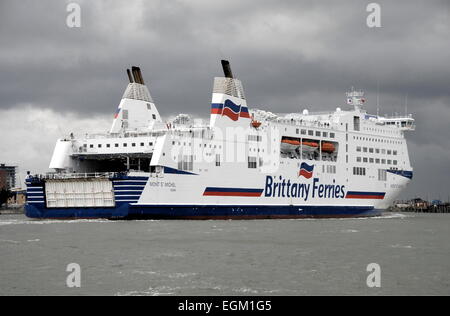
290	55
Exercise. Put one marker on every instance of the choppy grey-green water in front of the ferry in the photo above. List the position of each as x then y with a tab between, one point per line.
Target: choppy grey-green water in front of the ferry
258	257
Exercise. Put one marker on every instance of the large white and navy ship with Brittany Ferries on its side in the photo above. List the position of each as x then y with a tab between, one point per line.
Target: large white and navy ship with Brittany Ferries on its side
243	163
